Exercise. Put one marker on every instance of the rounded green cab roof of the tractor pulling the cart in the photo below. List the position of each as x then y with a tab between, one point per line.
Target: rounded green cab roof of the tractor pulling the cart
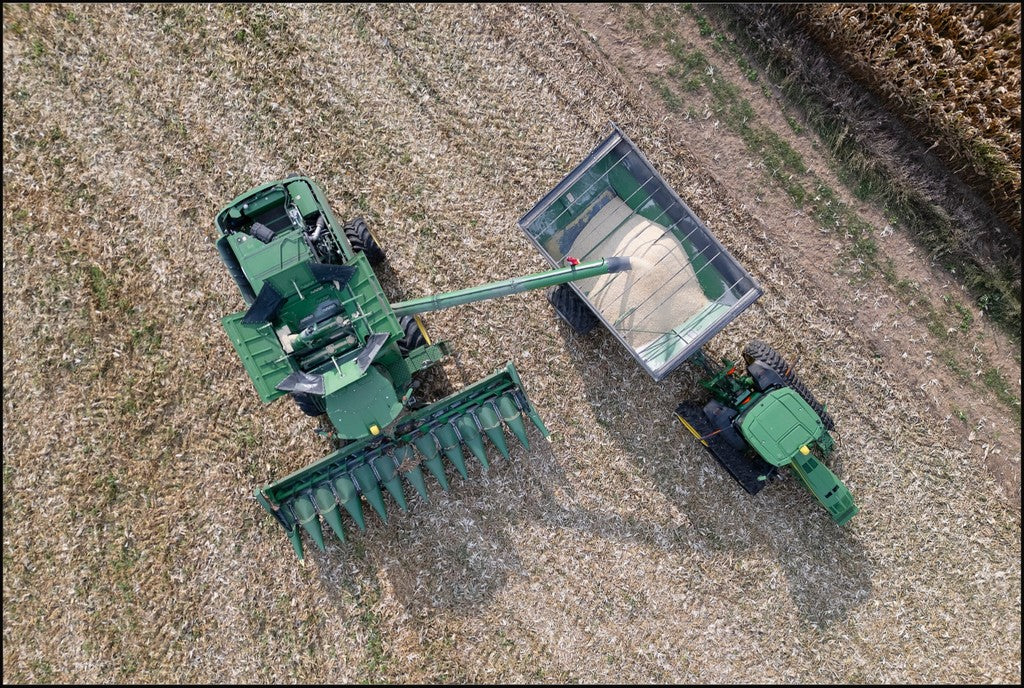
779	424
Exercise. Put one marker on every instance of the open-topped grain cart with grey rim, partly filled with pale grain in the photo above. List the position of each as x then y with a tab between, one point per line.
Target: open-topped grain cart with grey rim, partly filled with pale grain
685	287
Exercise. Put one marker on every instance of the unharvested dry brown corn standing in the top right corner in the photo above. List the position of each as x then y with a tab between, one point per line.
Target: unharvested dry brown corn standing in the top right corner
953	69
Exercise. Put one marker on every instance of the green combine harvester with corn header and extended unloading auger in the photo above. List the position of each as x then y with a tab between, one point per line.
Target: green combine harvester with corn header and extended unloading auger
319	328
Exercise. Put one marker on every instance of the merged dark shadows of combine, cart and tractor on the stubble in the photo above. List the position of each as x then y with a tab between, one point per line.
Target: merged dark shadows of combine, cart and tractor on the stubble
457	553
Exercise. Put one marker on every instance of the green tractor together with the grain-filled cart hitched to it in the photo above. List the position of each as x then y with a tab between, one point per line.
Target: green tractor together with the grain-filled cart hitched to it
685	288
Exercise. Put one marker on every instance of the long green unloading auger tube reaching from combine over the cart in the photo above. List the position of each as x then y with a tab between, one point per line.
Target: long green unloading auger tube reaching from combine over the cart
515	286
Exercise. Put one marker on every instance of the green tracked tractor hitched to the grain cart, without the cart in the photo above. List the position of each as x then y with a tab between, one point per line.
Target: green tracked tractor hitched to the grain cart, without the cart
763	421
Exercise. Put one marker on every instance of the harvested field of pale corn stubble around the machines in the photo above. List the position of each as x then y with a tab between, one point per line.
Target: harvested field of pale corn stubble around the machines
134	550
